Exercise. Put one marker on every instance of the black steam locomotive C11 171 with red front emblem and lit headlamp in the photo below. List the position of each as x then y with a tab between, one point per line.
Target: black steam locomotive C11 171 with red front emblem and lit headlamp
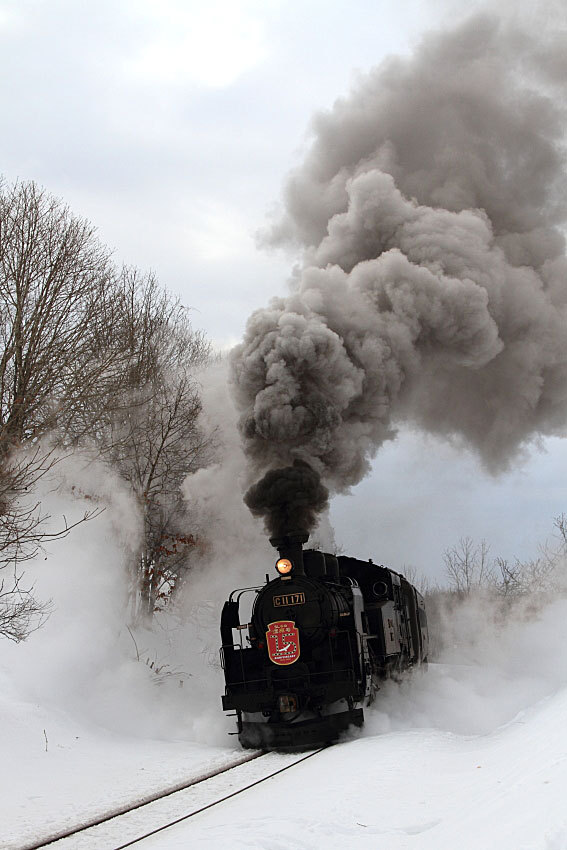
320	639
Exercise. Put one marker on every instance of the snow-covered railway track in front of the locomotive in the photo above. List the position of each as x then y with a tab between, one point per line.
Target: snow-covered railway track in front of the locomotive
130	825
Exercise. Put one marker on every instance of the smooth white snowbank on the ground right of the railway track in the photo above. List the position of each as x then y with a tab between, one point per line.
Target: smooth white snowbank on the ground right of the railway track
422	789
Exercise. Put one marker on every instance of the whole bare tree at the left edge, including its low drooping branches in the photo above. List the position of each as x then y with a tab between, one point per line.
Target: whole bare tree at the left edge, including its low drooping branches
54	302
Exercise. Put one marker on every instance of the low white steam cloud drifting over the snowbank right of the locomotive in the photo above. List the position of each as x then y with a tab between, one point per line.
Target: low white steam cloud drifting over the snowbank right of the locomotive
488	670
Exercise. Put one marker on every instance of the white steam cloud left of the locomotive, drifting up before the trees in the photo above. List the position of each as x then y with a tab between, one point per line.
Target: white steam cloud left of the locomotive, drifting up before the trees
84	662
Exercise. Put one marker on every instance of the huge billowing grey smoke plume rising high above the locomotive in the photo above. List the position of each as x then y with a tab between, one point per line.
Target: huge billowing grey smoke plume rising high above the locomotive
434	282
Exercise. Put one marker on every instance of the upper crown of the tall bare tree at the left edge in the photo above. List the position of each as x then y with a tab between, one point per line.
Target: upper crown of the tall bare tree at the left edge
54	298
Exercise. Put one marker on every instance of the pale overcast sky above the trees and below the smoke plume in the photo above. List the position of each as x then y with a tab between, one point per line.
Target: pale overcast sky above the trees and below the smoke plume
171	126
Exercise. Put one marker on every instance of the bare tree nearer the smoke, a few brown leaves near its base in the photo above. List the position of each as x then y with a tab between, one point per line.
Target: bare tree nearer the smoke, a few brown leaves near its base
152	434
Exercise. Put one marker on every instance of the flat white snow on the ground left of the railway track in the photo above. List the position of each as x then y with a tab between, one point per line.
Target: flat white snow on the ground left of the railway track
57	771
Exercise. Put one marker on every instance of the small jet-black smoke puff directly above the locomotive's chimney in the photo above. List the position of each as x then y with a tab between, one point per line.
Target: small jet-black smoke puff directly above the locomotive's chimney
288	499
